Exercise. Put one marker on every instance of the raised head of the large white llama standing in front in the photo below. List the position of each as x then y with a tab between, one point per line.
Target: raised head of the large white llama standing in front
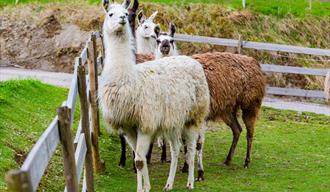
116	17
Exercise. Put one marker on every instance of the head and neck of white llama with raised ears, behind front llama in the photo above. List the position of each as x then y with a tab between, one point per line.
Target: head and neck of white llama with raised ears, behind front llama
145	34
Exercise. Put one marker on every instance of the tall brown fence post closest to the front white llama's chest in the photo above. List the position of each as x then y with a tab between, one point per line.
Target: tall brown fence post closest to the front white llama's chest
95	123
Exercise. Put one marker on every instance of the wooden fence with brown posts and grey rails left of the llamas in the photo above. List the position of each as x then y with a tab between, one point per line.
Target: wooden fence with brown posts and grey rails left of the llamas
79	154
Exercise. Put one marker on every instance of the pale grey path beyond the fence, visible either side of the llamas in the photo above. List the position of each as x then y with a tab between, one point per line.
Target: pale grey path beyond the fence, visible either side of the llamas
64	79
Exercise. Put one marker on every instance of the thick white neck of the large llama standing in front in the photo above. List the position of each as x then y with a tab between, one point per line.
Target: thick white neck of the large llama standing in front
119	54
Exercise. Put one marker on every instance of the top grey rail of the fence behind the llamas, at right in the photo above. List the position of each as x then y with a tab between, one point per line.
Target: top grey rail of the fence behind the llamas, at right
252	45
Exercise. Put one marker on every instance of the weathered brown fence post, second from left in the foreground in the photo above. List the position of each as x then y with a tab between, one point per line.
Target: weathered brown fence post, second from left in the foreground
70	170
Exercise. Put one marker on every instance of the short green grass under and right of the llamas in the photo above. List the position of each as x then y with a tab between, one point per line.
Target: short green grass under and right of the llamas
290	153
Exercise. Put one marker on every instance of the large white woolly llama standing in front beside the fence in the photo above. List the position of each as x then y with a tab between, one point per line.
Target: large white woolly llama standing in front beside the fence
168	96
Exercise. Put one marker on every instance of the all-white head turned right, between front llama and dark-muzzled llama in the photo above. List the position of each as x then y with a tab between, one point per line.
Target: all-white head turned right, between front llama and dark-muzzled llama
146	27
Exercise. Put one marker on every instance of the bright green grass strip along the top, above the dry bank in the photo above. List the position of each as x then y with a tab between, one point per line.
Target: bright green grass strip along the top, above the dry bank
278	8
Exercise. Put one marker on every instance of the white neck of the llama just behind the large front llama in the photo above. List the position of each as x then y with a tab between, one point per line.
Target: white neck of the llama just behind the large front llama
145	45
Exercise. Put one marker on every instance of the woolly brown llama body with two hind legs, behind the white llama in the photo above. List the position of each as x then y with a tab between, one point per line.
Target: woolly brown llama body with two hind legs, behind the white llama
235	82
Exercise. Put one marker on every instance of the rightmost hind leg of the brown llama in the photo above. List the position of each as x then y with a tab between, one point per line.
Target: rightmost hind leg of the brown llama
249	118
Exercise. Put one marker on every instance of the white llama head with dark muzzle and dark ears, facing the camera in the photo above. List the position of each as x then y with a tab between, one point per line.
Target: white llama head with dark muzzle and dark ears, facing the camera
165	42
